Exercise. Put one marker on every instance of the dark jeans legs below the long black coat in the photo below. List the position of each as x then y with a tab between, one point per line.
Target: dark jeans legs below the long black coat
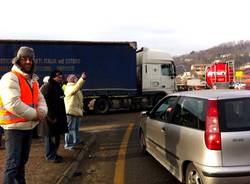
52	144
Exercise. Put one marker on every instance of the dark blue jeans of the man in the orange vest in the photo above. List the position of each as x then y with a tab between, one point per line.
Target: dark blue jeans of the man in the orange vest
17	144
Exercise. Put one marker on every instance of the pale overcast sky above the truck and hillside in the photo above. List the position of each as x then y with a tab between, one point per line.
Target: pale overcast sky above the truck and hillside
176	26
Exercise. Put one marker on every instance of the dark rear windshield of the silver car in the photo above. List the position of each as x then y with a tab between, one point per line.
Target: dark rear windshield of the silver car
234	114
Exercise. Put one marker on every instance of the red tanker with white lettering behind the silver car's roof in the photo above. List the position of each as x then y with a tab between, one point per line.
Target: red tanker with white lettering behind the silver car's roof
220	74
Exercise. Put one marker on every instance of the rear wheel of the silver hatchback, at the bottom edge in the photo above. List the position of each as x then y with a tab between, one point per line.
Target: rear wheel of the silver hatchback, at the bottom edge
192	175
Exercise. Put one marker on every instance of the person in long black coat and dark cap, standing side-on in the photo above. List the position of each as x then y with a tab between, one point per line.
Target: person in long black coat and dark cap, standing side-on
56	117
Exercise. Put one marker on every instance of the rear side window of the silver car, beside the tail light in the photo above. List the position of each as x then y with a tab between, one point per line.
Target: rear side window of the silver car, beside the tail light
190	112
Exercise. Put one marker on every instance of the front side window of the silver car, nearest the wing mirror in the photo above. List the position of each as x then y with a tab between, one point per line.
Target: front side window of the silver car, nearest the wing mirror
164	110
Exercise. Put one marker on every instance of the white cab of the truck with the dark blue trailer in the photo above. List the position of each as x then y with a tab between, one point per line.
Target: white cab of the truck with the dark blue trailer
156	71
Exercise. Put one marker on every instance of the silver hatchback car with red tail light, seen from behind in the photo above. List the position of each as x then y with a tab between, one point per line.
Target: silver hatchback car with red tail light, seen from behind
202	136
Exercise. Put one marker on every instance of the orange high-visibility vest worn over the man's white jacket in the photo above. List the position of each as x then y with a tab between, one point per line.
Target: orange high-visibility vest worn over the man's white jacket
28	96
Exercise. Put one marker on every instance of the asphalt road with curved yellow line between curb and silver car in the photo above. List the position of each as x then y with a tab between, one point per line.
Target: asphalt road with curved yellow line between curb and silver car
115	157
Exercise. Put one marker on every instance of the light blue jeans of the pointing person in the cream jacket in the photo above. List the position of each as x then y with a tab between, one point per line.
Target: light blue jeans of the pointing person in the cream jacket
72	137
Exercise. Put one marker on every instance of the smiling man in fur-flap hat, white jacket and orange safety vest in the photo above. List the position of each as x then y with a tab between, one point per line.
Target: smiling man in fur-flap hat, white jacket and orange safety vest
22	107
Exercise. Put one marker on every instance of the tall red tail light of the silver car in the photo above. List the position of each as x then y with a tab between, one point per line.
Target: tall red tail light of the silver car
212	132
